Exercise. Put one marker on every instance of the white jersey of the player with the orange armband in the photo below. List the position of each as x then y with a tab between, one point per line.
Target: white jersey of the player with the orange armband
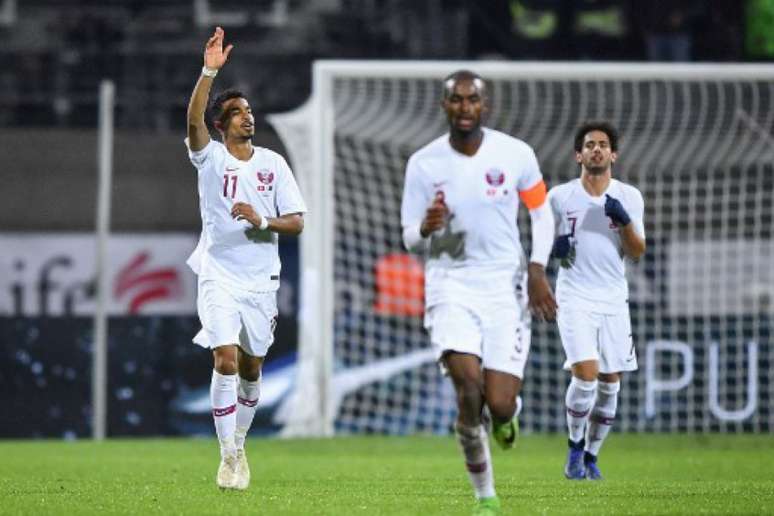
479	247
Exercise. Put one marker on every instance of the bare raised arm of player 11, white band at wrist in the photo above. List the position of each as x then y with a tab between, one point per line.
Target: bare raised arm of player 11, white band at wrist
214	58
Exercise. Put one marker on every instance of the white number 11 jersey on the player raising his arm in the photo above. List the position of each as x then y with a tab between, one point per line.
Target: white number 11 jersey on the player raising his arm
231	251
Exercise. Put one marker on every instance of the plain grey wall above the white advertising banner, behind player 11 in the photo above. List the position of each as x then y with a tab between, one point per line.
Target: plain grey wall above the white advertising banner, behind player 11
49	180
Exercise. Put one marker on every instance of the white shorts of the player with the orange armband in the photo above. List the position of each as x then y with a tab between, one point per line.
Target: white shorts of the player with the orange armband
498	333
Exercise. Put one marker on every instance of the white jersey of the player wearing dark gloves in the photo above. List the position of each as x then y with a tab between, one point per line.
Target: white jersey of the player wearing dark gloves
597	279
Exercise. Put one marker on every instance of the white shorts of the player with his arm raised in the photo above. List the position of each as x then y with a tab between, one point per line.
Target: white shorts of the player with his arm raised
233	316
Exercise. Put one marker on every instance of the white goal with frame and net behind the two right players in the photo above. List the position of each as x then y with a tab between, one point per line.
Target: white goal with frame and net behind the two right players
695	139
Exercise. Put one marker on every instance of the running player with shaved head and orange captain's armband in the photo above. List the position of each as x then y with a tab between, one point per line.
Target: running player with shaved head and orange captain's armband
460	203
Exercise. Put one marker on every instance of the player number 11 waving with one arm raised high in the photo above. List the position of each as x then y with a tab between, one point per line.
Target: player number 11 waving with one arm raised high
247	196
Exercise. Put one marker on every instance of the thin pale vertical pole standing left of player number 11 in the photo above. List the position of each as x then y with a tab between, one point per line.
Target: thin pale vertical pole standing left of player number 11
105	171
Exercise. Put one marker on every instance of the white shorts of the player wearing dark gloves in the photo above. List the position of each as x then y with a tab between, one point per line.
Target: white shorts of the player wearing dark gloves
606	338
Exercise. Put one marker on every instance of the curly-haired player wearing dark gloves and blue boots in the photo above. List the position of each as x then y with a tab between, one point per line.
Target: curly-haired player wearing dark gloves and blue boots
600	221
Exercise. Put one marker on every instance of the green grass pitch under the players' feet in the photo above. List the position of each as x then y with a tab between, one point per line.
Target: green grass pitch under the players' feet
645	474
